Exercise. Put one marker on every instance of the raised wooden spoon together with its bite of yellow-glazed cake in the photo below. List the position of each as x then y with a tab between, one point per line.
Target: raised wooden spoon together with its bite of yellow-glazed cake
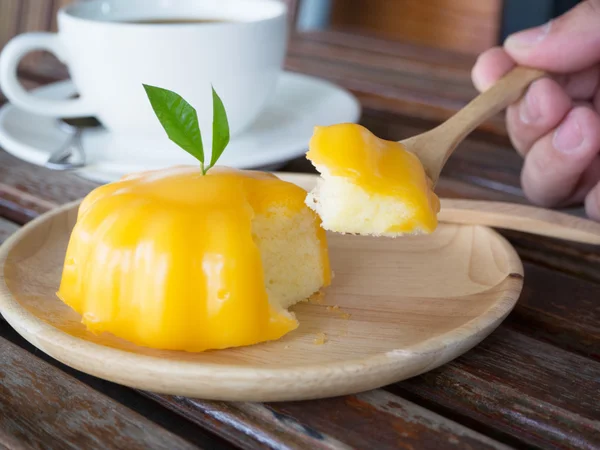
371	186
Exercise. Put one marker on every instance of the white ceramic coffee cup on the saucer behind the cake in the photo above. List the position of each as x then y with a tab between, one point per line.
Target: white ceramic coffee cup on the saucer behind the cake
110	56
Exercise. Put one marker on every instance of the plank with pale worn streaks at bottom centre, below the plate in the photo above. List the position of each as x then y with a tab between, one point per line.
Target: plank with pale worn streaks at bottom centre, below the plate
356	421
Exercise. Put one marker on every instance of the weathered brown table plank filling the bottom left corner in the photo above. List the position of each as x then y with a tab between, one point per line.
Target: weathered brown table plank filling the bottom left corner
41	407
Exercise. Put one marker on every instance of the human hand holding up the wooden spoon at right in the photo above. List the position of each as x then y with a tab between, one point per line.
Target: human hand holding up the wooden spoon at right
556	125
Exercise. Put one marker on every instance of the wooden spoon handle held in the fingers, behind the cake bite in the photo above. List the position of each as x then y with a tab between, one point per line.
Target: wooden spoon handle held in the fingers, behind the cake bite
434	147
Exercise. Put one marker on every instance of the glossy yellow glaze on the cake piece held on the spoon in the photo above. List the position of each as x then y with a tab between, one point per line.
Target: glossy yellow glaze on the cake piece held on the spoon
378	167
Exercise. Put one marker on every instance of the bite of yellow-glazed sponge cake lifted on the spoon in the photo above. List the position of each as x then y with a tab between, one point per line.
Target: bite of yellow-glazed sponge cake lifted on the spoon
369	185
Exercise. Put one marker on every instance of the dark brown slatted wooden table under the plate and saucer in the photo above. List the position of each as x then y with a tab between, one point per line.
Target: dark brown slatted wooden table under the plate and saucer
534	383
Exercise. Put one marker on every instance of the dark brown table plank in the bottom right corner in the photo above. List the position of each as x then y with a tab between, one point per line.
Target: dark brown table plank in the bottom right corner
513	385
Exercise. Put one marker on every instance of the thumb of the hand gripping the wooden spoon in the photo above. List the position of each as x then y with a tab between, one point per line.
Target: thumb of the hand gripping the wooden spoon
567	44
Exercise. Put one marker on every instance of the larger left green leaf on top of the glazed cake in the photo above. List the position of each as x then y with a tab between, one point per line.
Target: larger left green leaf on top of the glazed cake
179	119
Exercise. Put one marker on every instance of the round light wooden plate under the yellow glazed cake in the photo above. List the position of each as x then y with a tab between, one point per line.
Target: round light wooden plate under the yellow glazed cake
415	303
